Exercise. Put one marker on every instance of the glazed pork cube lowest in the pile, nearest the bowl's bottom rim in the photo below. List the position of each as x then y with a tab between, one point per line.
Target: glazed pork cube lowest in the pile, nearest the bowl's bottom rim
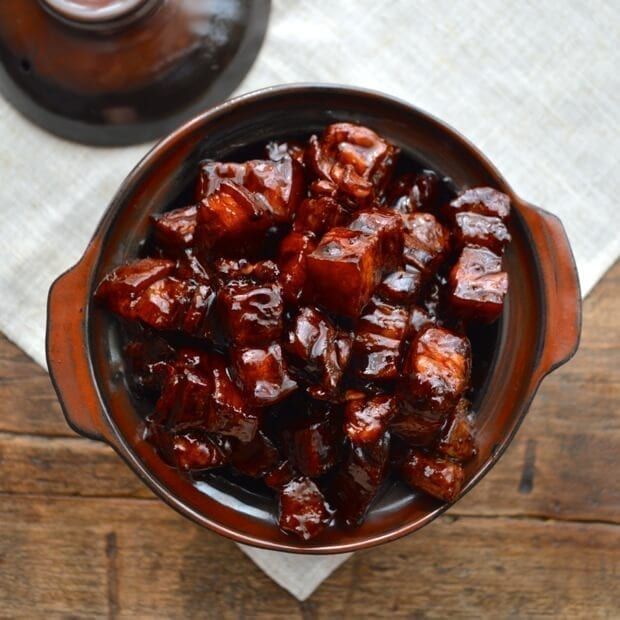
303	510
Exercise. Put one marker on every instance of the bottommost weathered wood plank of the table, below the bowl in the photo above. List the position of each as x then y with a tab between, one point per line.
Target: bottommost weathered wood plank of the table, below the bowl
142	560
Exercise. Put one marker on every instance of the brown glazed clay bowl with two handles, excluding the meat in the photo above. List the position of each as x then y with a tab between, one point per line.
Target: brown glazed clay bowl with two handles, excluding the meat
539	329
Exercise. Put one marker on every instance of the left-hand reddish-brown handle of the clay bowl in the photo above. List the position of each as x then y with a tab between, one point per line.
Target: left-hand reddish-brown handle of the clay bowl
67	351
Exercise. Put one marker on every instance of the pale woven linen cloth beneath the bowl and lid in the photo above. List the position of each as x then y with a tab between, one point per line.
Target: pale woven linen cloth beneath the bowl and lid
535	85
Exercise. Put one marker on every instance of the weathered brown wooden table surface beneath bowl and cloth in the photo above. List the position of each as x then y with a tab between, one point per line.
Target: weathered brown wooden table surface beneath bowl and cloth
80	536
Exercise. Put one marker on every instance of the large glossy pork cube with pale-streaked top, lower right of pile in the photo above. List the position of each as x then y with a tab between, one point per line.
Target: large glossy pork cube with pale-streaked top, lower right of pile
436	370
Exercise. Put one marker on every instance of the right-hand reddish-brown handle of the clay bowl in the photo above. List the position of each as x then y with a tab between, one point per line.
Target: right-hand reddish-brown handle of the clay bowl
560	281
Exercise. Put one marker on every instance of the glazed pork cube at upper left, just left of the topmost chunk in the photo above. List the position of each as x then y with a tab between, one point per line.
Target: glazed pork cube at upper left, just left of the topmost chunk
281	184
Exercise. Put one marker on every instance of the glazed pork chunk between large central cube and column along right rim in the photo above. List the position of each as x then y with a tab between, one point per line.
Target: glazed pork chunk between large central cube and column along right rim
427	242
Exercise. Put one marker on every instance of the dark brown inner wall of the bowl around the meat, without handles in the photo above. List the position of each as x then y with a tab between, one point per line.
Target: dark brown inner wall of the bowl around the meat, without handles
162	180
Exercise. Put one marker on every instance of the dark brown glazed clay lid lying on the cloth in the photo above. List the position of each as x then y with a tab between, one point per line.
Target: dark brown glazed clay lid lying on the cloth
119	72
